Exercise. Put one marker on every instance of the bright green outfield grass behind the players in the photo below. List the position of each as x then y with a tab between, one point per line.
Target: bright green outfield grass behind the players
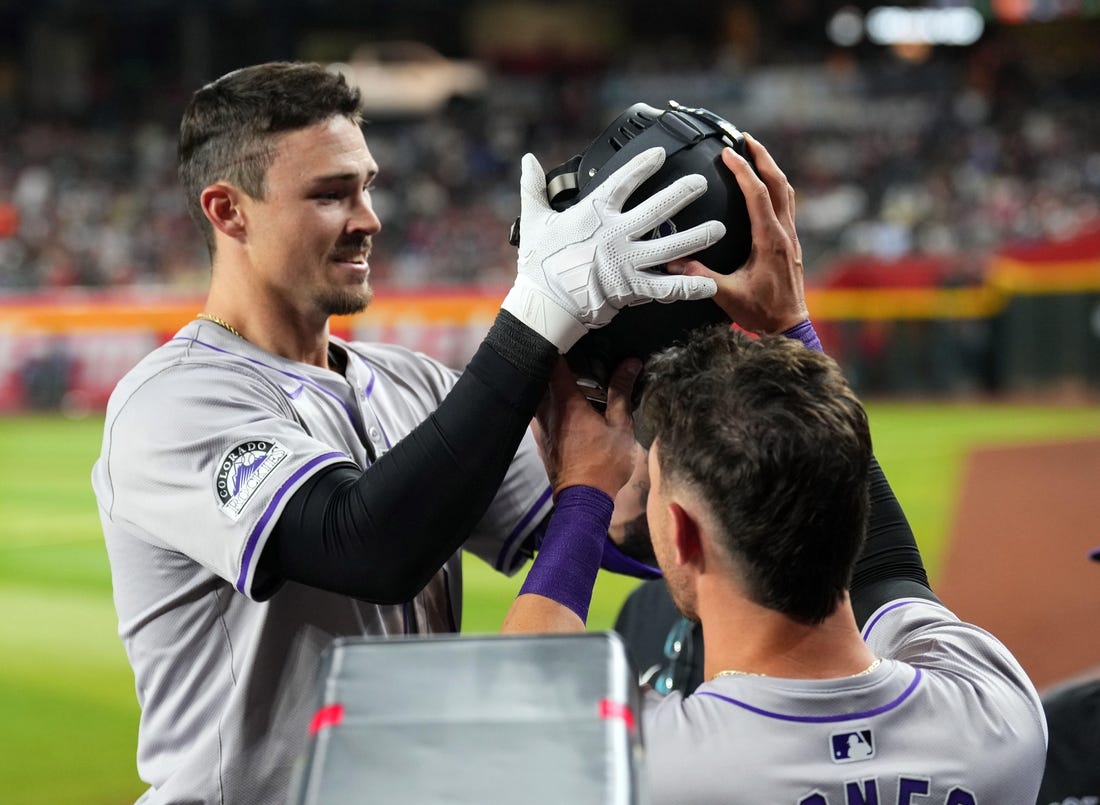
67	693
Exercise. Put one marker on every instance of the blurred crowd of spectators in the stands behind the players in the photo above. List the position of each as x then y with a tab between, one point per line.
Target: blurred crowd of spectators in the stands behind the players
943	160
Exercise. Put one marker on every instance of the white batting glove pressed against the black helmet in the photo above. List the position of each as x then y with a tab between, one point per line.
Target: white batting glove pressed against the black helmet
580	267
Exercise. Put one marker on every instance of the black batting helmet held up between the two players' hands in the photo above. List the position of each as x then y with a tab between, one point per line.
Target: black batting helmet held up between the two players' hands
694	141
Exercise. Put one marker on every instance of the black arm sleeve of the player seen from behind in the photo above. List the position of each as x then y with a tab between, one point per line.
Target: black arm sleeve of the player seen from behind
889	567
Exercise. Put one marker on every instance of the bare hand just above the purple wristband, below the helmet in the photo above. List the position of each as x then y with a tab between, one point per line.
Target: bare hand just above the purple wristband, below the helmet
581	446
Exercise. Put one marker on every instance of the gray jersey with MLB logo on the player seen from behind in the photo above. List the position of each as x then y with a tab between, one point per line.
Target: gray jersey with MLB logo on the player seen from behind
948	719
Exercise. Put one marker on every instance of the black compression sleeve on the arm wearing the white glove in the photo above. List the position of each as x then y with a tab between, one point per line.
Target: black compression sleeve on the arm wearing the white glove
380	535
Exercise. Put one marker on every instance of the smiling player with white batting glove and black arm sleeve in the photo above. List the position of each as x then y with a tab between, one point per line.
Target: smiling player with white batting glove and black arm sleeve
266	488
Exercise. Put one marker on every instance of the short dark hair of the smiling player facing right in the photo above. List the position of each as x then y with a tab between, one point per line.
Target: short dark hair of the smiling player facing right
227	130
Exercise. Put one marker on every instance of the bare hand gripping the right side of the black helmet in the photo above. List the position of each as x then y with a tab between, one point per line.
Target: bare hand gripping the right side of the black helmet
767	294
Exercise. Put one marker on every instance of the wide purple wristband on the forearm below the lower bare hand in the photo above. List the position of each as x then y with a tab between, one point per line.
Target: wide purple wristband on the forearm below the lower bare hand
568	561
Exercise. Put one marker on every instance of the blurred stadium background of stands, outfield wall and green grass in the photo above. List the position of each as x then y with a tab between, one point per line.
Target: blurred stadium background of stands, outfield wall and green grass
947	158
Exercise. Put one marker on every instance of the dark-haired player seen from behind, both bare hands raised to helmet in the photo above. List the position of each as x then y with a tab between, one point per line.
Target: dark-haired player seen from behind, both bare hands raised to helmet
832	674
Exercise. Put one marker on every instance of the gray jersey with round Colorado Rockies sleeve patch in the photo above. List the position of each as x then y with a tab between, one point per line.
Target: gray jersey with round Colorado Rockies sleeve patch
204	443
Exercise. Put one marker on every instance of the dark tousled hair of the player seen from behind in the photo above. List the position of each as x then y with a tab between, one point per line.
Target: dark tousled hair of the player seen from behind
774	439
